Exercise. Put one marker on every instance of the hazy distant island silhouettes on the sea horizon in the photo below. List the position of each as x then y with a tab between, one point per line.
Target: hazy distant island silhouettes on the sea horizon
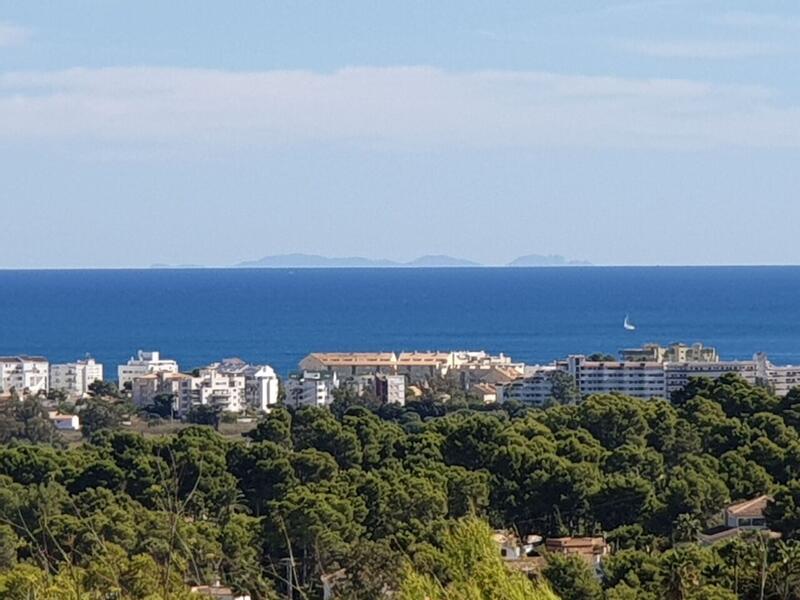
300	261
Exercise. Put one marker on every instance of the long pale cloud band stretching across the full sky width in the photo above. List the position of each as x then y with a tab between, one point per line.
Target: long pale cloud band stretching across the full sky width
409	106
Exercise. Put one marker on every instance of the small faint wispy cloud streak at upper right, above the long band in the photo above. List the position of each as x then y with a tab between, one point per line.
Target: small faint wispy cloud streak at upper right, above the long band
700	49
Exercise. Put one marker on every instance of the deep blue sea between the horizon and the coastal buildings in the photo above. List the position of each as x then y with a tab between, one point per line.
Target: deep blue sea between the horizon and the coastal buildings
277	316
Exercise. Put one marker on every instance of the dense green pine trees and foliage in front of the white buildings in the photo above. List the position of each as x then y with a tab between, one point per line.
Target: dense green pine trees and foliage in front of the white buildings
373	498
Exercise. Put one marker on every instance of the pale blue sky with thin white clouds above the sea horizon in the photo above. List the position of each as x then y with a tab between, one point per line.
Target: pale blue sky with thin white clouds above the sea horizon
199	132
